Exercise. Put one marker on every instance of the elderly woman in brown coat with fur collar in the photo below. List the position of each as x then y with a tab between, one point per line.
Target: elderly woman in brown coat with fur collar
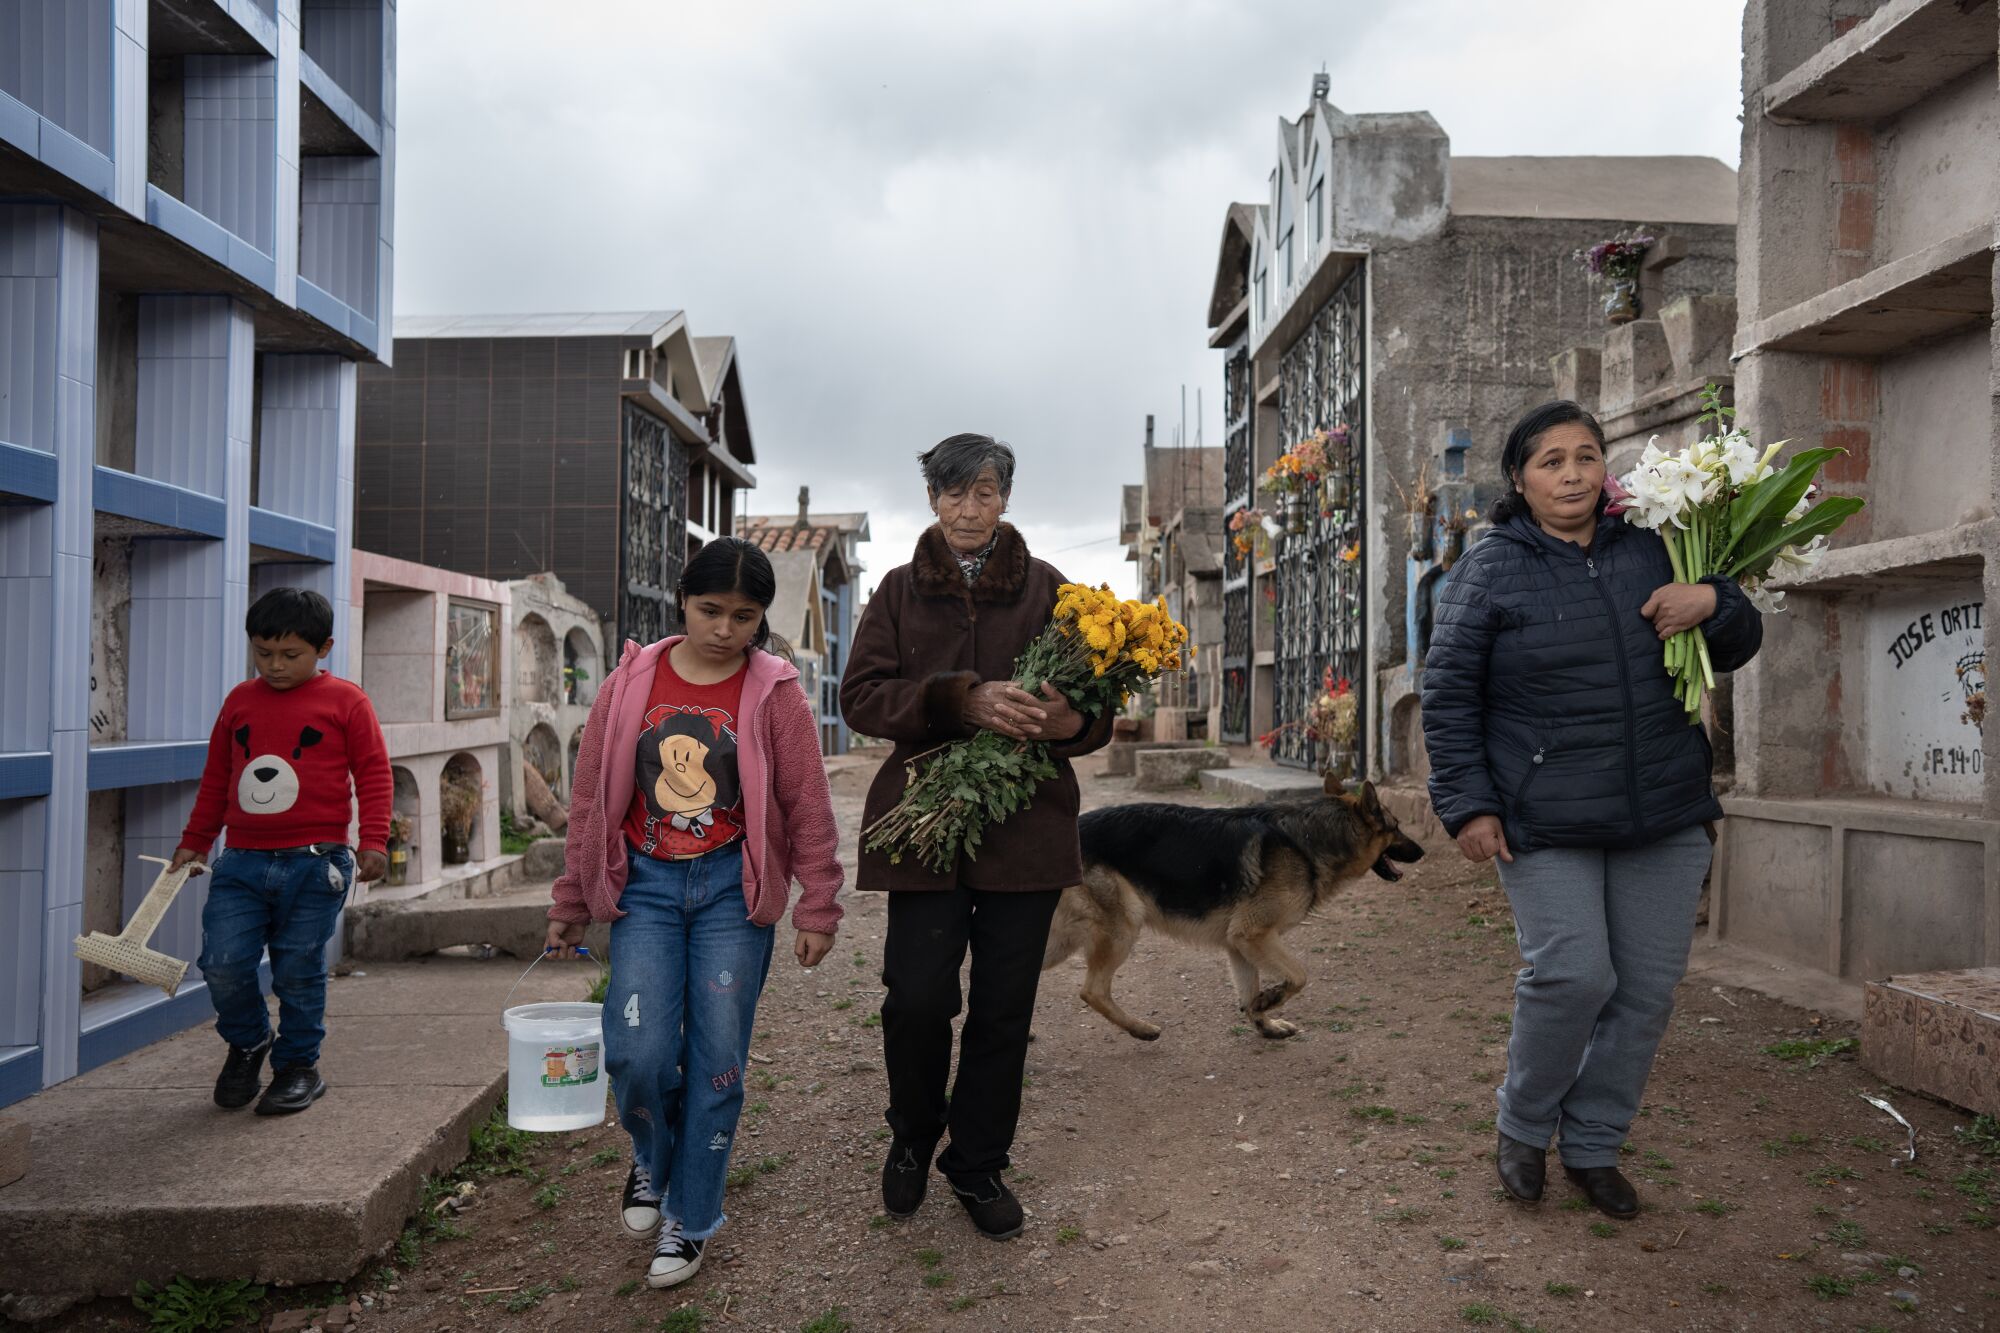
933	663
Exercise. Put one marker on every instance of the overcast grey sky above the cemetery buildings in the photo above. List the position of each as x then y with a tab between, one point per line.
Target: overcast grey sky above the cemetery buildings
921	219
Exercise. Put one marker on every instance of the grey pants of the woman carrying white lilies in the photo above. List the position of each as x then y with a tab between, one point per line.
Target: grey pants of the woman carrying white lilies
1607	938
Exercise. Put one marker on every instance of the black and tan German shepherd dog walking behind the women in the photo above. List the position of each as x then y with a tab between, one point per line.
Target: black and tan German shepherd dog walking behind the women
1233	880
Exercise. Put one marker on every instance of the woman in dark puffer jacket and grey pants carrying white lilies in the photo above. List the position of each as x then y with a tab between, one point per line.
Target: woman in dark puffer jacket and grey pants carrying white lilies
1559	748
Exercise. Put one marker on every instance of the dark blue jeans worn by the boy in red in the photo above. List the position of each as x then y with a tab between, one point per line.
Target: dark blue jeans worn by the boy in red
285	902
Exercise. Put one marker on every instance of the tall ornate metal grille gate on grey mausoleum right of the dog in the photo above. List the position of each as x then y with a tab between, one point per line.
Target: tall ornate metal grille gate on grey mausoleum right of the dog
1321	613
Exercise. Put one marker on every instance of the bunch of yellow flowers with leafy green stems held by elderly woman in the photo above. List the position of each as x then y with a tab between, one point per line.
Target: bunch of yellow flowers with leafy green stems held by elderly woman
1097	649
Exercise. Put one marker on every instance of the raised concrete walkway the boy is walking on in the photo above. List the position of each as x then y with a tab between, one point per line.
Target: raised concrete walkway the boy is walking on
135	1174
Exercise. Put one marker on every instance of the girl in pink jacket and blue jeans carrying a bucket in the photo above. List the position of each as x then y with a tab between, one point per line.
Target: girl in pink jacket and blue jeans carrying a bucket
699	796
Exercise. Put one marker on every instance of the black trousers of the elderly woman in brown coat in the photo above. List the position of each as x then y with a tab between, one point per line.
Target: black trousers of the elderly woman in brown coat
927	944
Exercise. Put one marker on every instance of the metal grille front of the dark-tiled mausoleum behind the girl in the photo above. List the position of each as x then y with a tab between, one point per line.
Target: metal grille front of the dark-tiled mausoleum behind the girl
655	519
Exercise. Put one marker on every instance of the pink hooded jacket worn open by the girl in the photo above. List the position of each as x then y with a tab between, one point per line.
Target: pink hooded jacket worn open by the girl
789	810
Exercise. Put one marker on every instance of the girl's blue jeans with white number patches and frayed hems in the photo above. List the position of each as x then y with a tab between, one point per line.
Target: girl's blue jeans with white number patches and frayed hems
687	974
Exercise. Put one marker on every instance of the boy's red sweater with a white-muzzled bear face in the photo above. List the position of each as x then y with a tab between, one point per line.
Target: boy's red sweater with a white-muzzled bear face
287	766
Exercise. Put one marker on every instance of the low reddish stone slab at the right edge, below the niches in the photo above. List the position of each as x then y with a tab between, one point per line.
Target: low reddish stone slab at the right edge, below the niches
1937	1034
